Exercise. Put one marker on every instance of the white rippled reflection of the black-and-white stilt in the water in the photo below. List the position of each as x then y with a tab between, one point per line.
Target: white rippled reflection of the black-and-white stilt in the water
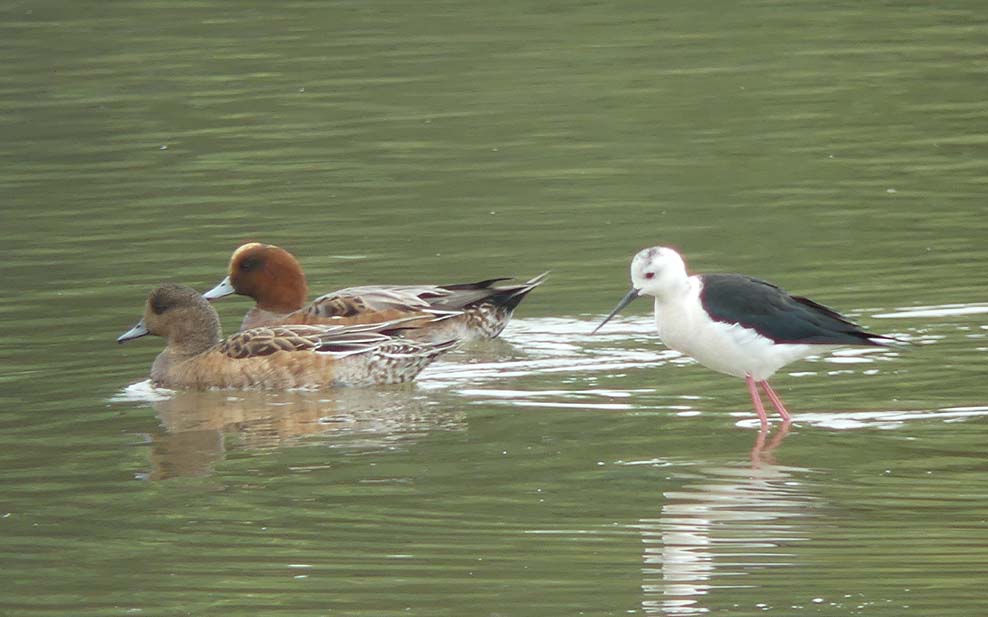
731	521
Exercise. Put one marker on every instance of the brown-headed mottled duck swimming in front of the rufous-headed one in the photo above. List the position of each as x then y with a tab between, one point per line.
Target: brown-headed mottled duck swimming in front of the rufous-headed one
297	356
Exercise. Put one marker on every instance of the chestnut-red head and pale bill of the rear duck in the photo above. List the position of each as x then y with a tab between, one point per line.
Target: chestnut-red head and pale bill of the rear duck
269	274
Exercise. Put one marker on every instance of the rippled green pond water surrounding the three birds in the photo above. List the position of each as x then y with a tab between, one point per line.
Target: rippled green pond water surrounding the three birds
838	150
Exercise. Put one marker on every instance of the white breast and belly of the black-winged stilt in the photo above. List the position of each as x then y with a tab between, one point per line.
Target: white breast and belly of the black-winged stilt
683	325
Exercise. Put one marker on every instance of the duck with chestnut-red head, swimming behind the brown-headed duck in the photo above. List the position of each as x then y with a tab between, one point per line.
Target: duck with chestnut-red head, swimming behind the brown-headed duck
274	279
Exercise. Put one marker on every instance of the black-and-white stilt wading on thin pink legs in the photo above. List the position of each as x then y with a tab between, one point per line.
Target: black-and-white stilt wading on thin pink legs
736	324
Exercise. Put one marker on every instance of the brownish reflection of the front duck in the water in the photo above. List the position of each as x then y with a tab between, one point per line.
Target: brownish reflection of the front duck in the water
198	427
